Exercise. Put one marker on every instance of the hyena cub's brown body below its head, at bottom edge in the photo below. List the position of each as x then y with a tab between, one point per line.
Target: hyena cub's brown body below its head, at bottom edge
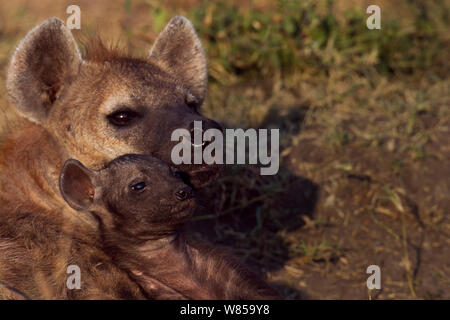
181	270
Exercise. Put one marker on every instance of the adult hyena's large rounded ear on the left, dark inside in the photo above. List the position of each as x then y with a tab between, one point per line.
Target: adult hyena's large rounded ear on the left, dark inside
45	60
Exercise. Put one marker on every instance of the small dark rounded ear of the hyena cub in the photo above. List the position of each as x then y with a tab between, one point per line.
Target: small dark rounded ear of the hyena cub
76	184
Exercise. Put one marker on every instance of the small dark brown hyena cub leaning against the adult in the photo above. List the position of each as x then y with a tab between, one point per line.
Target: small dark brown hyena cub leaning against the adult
141	204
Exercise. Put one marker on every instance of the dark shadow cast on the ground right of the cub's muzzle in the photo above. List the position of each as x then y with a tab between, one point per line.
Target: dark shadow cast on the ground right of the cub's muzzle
249	214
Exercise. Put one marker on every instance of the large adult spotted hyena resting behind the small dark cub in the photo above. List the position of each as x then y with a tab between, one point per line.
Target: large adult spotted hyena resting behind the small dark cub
93	108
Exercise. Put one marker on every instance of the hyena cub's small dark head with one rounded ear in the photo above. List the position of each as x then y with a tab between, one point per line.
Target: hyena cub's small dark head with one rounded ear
137	196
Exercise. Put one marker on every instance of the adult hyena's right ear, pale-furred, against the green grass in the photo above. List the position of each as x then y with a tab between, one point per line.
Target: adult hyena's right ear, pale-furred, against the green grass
180	51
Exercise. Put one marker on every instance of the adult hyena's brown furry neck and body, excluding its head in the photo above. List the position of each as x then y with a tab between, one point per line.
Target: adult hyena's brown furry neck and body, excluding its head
39	239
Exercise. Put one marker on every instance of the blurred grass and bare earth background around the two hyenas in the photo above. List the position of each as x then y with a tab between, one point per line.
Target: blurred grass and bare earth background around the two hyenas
364	128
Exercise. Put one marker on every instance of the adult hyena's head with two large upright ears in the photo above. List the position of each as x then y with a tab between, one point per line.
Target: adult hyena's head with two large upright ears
106	104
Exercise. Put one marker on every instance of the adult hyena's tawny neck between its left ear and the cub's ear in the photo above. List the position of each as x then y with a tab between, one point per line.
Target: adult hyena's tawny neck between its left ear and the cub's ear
30	163
